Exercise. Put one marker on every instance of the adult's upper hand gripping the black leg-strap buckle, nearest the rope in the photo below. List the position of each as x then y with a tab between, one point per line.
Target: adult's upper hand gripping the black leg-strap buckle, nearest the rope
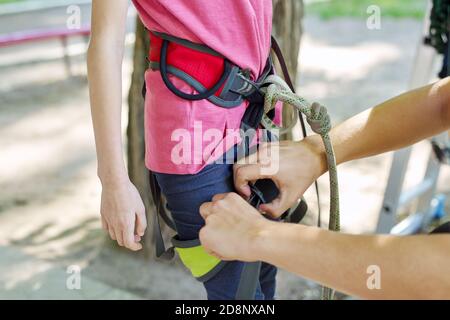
298	165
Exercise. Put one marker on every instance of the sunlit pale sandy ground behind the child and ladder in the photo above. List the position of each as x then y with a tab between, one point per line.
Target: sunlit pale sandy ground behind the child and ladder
49	198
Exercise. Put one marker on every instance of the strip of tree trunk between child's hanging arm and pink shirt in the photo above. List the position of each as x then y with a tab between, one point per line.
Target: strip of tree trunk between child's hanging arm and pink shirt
135	131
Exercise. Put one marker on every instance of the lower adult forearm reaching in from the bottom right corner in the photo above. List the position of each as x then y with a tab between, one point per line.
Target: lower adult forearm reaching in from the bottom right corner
410	267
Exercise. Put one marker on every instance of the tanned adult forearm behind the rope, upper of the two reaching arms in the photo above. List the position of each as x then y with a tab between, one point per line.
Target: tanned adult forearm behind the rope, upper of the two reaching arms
394	124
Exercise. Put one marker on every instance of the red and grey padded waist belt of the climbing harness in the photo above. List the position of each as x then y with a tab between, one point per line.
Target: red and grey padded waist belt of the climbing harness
207	71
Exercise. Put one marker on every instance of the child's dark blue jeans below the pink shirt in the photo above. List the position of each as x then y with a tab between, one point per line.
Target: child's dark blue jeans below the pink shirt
185	194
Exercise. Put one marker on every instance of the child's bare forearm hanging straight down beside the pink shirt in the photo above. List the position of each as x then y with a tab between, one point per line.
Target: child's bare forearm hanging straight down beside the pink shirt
105	83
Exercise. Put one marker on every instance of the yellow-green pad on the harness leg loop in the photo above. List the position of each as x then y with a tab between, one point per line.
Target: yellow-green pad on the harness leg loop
197	260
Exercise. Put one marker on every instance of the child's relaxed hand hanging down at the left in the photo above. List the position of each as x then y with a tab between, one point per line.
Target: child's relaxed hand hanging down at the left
123	214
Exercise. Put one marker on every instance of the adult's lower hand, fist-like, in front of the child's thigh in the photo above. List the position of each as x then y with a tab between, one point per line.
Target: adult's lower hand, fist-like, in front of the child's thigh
232	227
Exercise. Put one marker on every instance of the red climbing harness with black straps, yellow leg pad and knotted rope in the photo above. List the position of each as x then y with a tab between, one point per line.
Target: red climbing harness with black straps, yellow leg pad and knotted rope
226	85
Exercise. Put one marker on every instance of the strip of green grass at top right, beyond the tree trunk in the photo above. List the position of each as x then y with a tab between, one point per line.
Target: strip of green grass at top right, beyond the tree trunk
328	9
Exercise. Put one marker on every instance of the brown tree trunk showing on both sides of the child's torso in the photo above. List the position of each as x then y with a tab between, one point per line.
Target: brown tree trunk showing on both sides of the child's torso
286	28
